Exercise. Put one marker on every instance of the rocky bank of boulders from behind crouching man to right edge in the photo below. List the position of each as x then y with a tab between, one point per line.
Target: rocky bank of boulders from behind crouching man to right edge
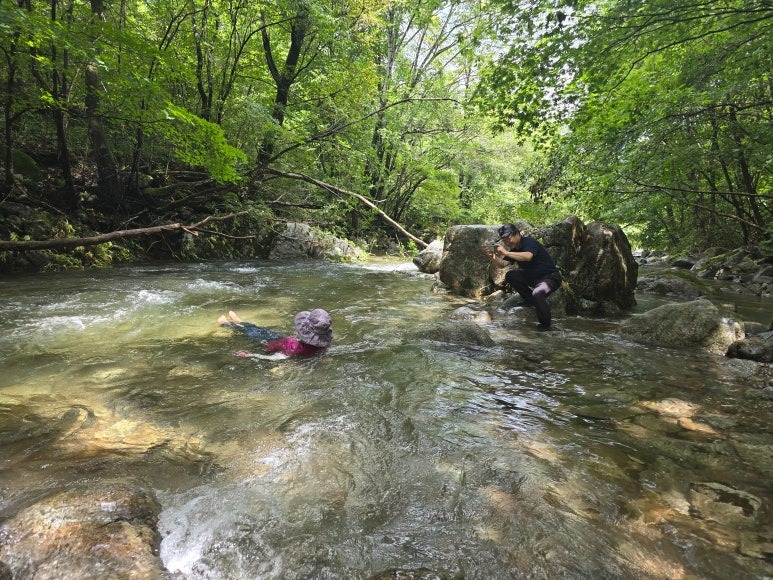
600	275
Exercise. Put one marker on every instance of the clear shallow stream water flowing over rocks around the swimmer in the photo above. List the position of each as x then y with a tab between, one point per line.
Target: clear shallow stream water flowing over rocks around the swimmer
568	454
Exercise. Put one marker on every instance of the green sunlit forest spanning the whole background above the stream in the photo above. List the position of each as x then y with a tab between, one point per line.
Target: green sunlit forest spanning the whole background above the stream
655	115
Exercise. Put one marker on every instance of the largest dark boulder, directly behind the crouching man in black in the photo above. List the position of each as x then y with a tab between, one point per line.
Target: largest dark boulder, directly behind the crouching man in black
596	260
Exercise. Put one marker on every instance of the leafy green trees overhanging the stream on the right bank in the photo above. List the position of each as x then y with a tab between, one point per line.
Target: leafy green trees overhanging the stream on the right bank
665	110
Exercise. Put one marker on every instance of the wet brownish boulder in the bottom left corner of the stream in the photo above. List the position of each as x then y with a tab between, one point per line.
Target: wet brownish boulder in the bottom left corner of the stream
101	530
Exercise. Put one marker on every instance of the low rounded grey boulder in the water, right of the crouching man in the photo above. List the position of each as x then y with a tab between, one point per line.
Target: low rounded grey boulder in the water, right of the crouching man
696	323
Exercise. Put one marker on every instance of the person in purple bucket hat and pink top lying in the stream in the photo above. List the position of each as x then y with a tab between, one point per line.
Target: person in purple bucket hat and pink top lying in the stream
313	334
